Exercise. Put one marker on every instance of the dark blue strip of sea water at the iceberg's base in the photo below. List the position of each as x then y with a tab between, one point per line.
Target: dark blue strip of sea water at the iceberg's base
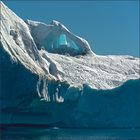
68	134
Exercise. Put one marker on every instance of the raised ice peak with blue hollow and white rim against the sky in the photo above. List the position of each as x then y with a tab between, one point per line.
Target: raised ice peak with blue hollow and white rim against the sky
48	37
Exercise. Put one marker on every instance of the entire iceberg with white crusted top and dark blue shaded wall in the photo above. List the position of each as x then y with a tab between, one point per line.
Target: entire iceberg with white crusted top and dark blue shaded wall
47	71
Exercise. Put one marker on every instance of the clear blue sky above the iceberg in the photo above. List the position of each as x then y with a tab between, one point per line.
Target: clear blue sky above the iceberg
110	27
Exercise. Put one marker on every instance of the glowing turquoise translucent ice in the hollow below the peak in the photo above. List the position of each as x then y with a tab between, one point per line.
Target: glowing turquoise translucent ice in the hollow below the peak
62	44
